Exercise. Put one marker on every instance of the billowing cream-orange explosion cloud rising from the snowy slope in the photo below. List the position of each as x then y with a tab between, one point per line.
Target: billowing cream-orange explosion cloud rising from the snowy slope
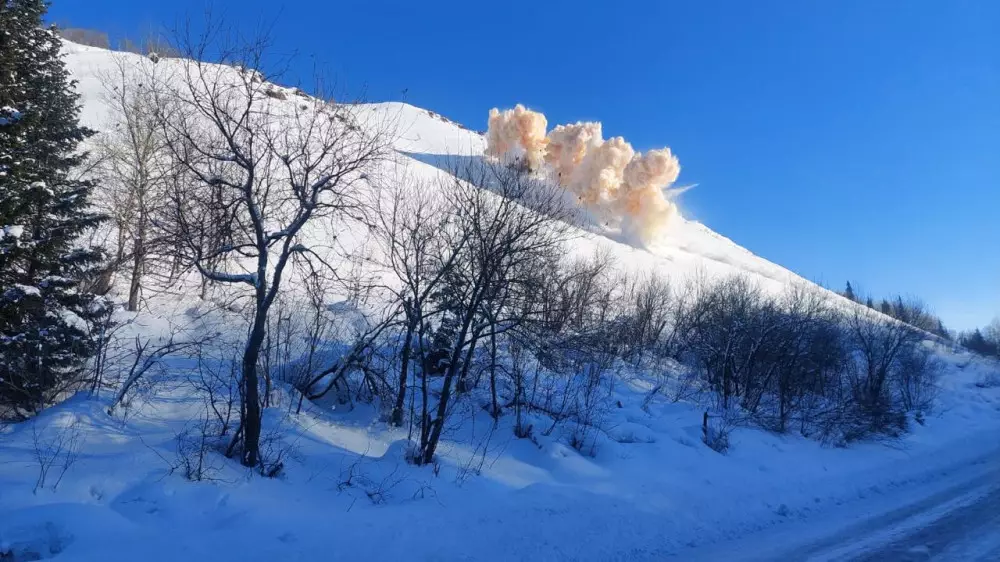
606	175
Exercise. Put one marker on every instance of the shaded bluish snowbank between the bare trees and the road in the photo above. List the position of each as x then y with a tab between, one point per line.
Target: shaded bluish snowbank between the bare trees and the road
653	491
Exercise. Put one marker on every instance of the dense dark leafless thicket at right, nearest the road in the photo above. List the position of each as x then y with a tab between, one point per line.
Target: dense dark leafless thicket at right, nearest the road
771	361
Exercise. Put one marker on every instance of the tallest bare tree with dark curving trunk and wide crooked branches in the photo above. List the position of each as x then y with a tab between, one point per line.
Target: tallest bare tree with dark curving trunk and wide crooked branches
259	170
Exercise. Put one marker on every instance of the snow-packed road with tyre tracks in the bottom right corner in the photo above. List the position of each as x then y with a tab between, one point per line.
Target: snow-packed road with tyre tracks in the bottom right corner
957	518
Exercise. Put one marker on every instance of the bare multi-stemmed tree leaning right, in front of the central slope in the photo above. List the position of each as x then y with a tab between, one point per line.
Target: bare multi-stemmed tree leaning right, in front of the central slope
510	224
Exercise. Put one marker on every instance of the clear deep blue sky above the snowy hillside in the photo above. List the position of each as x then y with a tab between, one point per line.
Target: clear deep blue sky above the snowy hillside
845	140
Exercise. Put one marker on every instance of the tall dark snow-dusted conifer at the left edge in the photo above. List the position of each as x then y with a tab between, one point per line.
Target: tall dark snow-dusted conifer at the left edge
44	315
